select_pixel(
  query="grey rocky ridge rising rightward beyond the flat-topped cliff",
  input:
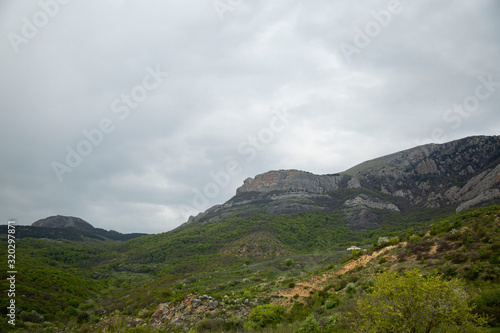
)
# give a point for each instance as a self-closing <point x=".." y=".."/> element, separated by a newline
<point x="437" y="176"/>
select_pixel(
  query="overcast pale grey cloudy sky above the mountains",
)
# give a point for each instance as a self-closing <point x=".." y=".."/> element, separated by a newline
<point x="134" y="115"/>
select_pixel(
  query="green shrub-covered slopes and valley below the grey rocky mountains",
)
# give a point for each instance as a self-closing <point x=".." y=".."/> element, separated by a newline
<point x="294" y="269"/>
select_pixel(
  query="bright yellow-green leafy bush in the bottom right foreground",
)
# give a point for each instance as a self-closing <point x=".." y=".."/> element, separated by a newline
<point x="414" y="303"/>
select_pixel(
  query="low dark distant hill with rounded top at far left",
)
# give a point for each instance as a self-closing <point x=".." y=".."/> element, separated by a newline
<point x="67" y="227"/>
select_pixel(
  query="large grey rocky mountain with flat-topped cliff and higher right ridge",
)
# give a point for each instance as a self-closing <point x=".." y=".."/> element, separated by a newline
<point x="433" y="178"/>
